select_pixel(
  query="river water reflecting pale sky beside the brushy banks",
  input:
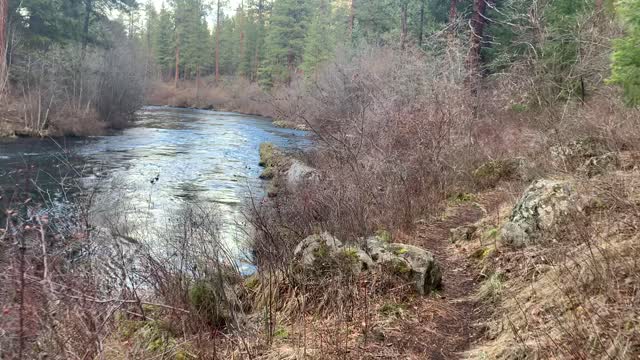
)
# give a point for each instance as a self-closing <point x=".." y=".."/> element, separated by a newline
<point x="168" y="158"/>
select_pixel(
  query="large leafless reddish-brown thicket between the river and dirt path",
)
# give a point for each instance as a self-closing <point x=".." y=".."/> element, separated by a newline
<point x="389" y="126"/>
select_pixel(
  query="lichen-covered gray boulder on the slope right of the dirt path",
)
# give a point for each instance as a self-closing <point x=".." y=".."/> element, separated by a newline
<point x="544" y="206"/>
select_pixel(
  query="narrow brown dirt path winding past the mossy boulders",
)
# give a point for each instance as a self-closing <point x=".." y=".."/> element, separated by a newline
<point x="444" y="325"/>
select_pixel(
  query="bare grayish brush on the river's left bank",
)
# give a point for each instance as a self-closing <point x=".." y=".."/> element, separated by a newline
<point x="67" y="90"/>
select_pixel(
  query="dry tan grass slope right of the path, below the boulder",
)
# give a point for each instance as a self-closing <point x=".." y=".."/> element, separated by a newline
<point x="575" y="298"/>
